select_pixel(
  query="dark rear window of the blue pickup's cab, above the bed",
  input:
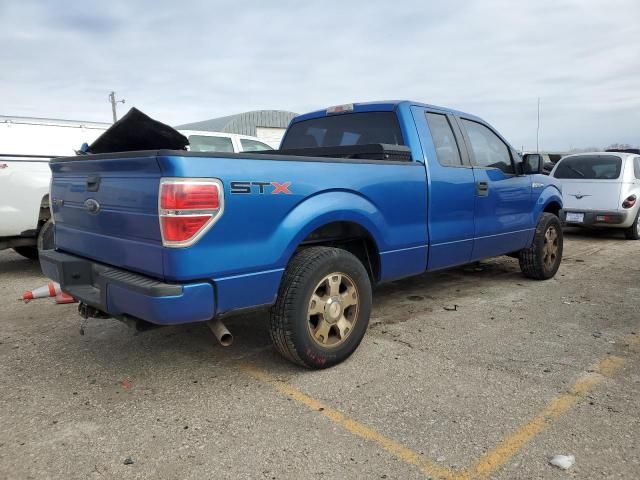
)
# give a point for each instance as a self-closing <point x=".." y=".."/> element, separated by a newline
<point x="345" y="129"/>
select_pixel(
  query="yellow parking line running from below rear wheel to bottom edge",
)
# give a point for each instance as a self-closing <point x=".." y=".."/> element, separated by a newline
<point x="396" y="449"/>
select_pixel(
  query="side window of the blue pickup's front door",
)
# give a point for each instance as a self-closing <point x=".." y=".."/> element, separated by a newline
<point x="488" y="150"/>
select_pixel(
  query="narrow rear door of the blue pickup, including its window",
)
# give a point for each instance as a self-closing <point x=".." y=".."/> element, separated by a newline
<point x="451" y="189"/>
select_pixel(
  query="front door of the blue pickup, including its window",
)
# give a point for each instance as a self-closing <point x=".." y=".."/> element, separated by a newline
<point x="503" y="201"/>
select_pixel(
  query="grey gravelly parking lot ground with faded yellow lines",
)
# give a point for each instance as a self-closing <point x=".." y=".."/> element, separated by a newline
<point x="449" y="381"/>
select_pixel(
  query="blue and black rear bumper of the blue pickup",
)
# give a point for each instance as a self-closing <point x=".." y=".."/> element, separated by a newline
<point x="121" y="293"/>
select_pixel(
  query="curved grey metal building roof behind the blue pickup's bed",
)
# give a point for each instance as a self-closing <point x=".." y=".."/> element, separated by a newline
<point x="244" y="123"/>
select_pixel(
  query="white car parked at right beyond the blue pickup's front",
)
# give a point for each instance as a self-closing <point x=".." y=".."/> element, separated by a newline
<point x="601" y="190"/>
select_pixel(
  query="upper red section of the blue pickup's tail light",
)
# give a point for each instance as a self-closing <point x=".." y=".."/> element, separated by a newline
<point x="189" y="196"/>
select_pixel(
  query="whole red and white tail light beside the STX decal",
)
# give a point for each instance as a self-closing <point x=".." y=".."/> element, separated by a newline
<point x="187" y="208"/>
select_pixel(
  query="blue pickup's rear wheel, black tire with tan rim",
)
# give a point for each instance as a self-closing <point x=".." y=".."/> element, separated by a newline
<point x="291" y="322"/>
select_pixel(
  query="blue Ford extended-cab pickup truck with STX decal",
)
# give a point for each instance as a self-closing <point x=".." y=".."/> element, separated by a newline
<point x="357" y="195"/>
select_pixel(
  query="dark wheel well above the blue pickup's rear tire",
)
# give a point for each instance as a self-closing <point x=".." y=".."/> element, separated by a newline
<point x="351" y="237"/>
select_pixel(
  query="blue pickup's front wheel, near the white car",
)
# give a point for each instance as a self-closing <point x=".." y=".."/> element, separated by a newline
<point x="537" y="261"/>
